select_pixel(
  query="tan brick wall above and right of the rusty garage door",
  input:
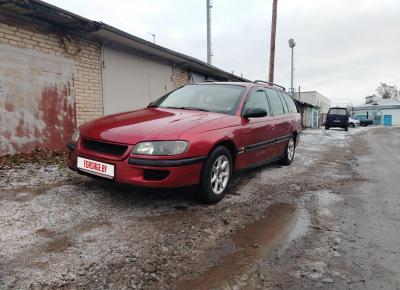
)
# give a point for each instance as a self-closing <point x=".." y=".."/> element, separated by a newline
<point x="87" y="76"/>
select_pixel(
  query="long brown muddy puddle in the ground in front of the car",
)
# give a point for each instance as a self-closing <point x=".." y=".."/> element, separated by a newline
<point x="282" y="223"/>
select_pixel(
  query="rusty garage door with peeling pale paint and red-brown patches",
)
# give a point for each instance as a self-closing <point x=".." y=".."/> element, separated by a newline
<point x="36" y="100"/>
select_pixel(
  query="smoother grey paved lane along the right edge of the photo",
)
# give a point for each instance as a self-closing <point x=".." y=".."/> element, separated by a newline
<point x="371" y="213"/>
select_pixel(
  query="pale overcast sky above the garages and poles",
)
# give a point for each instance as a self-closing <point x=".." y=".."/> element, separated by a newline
<point x="344" y="48"/>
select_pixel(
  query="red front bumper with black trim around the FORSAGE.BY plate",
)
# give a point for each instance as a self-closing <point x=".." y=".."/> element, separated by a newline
<point x="145" y="172"/>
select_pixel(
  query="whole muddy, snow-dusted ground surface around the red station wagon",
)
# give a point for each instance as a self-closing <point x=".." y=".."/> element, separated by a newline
<point x="280" y="227"/>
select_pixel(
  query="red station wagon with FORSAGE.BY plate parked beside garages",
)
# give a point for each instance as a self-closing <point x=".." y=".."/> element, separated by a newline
<point x="197" y="134"/>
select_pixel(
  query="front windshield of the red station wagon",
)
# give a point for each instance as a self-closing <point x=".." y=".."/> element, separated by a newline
<point x="213" y="98"/>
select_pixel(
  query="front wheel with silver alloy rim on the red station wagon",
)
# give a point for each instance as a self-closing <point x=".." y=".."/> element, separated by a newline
<point x="213" y="191"/>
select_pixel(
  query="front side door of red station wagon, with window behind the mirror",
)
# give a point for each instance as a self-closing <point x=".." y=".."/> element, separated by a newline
<point x="257" y="132"/>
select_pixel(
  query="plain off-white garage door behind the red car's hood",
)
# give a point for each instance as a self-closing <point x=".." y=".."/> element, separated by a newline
<point x="131" y="82"/>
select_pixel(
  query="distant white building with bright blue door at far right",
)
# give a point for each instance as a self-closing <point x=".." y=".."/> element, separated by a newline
<point x="384" y="112"/>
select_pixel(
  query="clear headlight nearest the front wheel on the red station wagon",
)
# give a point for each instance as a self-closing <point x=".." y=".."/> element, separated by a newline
<point x="160" y="147"/>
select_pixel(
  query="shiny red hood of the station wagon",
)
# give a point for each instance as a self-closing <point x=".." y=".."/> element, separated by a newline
<point x="146" y="124"/>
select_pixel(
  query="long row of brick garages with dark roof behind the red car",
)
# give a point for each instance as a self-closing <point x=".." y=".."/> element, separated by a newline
<point x="59" y="70"/>
